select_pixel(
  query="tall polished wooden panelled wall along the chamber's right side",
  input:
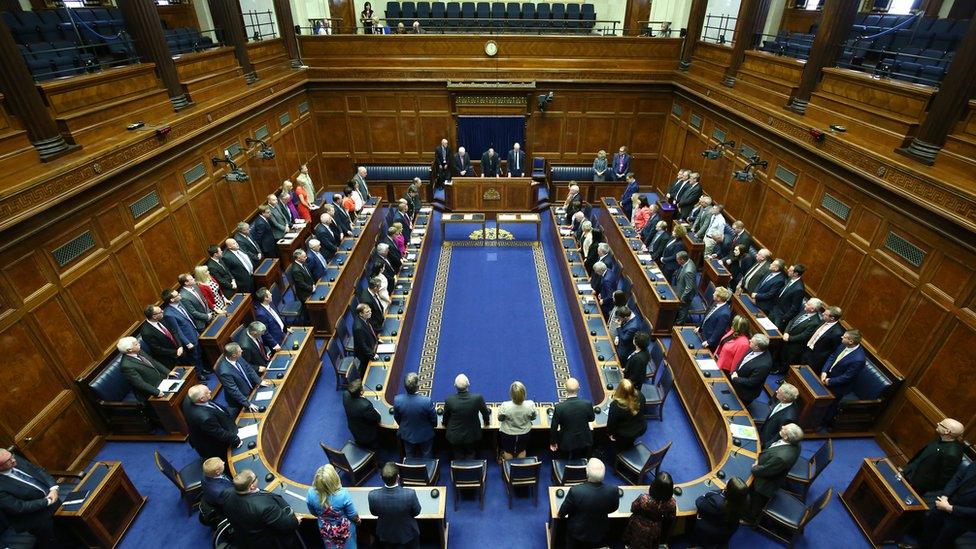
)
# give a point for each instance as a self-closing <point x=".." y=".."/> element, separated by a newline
<point x="922" y="320"/>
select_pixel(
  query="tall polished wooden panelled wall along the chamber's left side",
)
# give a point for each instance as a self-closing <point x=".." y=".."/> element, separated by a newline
<point x="58" y="323"/>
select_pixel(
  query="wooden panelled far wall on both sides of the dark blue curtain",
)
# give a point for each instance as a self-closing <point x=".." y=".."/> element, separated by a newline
<point x="400" y="124"/>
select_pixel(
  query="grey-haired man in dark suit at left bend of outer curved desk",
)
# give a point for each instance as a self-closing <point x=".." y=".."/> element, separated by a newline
<point x="212" y="430"/>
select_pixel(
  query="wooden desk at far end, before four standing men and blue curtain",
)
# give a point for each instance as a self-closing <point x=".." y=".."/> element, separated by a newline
<point x="490" y="194"/>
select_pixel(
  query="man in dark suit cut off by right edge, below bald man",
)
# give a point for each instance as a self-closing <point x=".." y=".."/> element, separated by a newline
<point x="954" y="513"/>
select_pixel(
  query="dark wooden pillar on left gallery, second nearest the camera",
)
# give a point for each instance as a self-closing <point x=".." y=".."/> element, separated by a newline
<point x="143" y="24"/>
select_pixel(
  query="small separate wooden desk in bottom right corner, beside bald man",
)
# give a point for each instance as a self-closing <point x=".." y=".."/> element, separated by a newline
<point x="881" y="502"/>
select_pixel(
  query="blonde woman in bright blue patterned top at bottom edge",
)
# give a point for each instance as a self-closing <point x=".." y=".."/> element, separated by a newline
<point x="332" y="505"/>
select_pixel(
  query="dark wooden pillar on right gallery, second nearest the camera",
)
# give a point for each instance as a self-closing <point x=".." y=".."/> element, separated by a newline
<point x="838" y="16"/>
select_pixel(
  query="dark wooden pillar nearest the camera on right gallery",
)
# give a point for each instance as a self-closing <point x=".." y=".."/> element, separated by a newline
<point x="949" y="103"/>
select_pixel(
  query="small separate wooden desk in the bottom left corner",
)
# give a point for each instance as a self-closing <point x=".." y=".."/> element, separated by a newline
<point x="109" y="509"/>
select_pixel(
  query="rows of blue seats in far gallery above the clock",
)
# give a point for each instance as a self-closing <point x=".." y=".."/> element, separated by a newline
<point x="493" y="14"/>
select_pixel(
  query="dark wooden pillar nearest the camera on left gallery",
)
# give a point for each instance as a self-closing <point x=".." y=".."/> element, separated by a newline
<point x="26" y="103"/>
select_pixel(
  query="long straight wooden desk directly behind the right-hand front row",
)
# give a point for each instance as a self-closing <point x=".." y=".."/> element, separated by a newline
<point x="658" y="302"/>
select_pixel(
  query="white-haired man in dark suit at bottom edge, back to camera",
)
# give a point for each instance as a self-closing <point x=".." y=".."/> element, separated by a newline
<point x="587" y="508"/>
